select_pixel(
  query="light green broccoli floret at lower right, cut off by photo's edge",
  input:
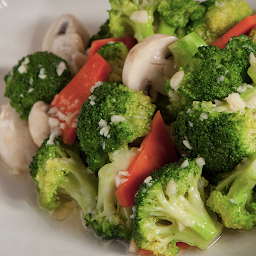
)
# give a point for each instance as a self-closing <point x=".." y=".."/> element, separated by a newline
<point x="233" y="197"/>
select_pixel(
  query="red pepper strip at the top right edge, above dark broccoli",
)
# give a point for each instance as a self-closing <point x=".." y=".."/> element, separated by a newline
<point x="243" y="27"/>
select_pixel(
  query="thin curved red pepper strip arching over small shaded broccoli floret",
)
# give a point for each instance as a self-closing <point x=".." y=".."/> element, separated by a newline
<point x="95" y="46"/>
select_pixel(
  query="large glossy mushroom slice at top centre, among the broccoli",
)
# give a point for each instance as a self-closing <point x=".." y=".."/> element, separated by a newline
<point x="149" y="63"/>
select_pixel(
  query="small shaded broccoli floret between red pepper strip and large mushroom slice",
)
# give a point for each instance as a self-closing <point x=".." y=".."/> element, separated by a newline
<point x="115" y="54"/>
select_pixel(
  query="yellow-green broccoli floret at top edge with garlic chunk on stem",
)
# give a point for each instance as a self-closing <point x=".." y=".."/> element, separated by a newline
<point x="132" y="18"/>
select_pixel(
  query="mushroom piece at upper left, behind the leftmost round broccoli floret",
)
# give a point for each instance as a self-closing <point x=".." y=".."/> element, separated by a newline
<point x="68" y="38"/>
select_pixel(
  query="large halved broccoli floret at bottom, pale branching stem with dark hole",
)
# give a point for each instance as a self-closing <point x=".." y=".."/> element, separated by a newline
<point x="169" y="209"/>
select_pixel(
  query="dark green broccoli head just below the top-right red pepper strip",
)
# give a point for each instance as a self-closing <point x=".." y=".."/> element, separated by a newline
<point x="213" y="75"/>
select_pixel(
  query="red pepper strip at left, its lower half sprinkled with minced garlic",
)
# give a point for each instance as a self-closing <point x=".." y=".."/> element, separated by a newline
<point x="71" y="98"/>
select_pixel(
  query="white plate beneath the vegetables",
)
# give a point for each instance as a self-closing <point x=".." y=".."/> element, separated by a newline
<point x="26" y="230"/>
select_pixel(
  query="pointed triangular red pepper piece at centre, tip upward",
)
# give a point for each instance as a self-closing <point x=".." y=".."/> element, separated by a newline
<point x="156" y="150"/>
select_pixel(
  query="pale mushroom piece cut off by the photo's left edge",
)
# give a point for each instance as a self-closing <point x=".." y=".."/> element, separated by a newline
<point x="16" y="145"/>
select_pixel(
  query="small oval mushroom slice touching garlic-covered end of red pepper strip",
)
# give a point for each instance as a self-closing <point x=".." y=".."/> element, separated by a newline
<point x="38" y="122"/>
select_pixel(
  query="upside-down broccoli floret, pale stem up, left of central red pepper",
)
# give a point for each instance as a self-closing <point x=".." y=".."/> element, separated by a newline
<point x="108" y="218"/>
